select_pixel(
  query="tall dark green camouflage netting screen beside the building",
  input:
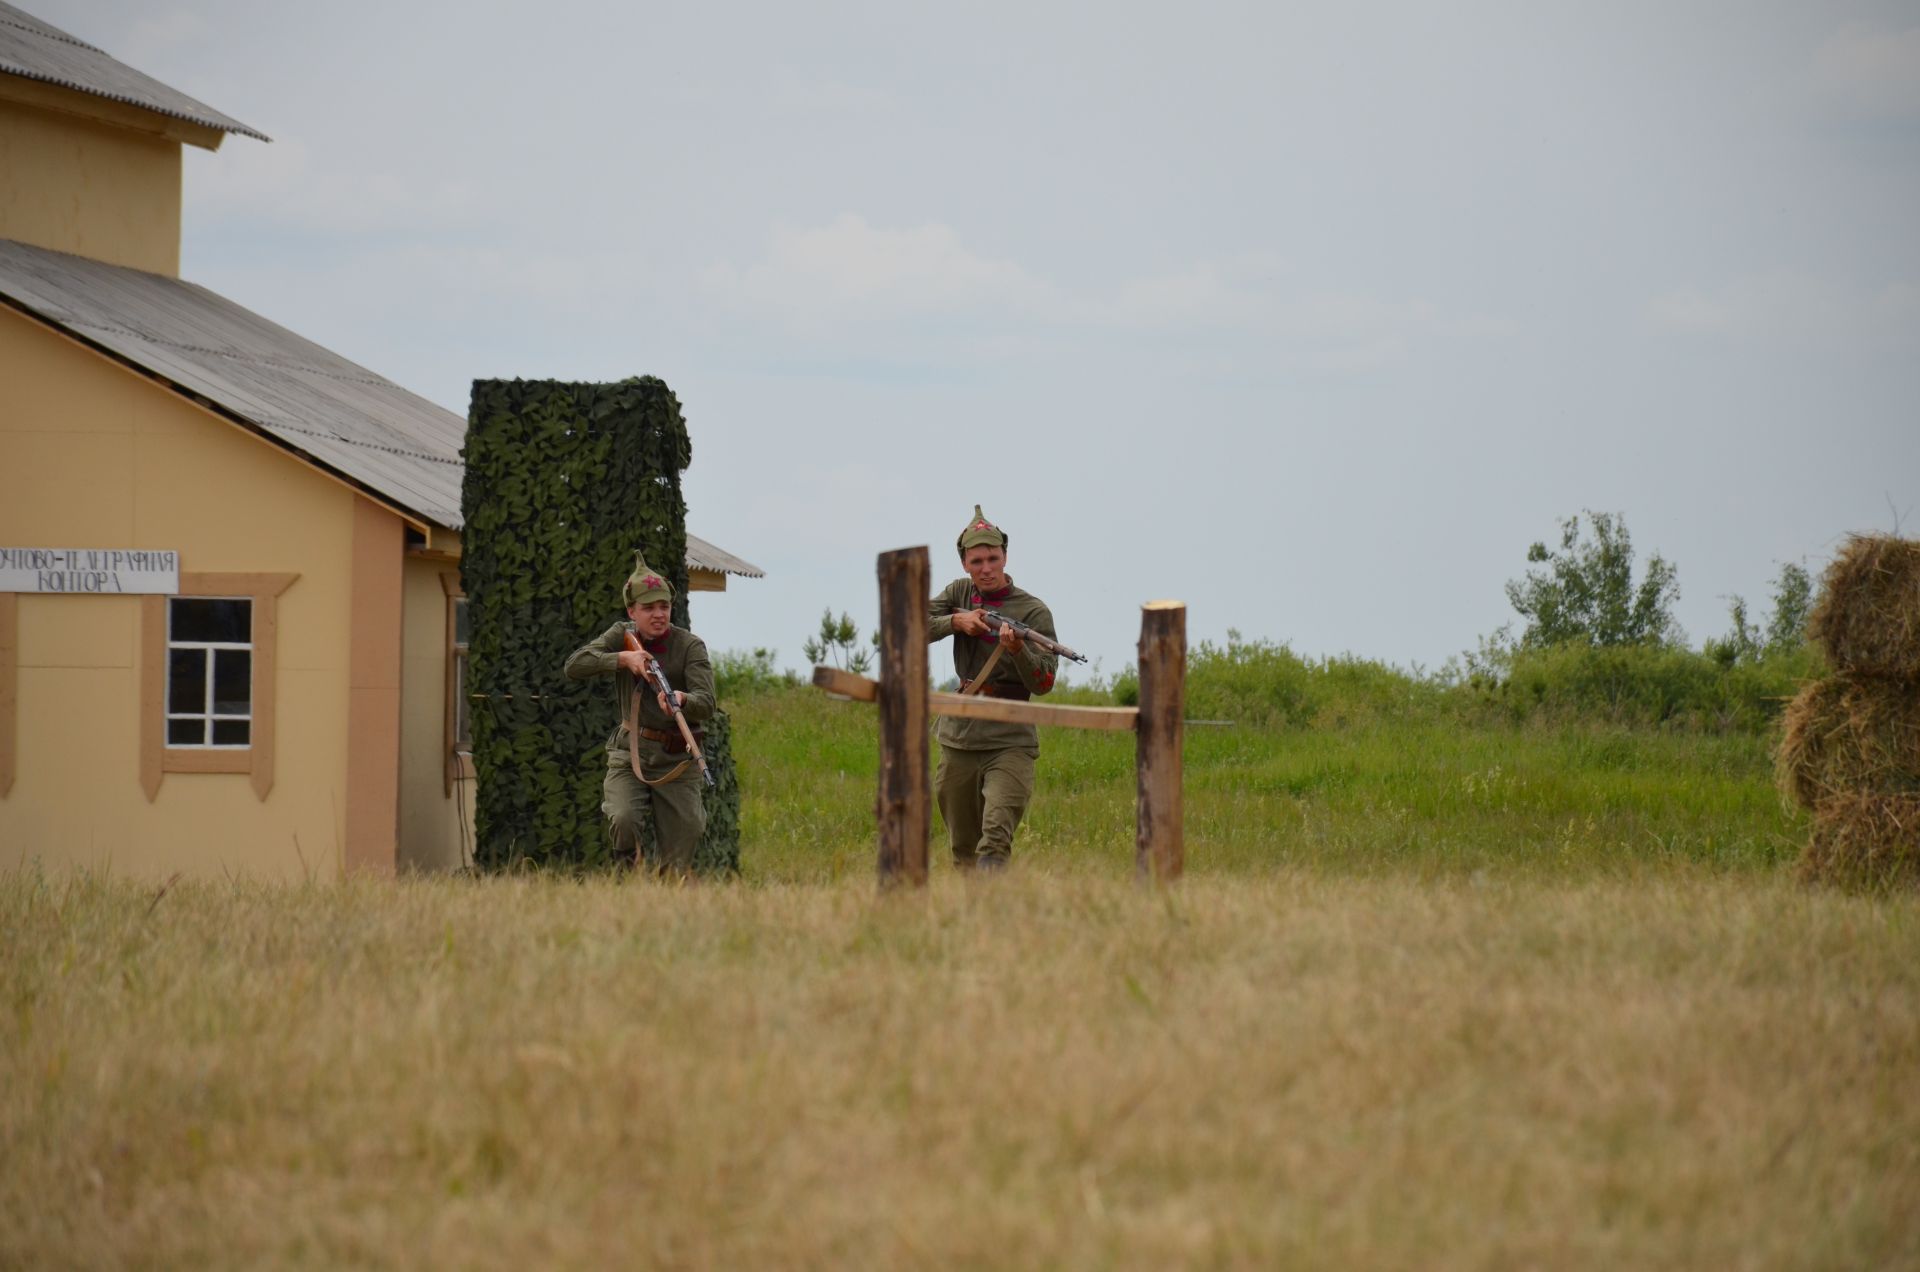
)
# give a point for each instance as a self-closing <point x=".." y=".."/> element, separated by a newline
<point x="564" y="483"/>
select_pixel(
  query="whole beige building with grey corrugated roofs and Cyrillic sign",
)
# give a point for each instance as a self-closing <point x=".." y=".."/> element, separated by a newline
<point x="231" y="631"/>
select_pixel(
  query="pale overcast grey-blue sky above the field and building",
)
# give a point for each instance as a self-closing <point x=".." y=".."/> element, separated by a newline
<point x="1312" y="316"/>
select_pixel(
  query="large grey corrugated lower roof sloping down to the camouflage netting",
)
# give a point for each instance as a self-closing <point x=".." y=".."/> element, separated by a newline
<point x="310" y="401"/>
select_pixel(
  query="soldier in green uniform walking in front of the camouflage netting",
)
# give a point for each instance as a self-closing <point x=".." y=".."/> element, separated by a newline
<point x="648" y="760"/>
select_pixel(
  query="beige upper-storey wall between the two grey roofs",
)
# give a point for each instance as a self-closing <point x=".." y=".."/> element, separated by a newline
<point x="91" y="189"/>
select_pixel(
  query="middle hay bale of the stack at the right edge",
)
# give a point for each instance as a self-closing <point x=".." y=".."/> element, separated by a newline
<point x="1850" y="735"/>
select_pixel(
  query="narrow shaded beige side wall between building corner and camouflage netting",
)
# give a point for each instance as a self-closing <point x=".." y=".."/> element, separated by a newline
<point x="437" y="798"/>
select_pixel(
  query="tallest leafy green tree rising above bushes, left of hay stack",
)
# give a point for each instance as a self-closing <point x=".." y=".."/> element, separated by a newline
<point x="1587" y="593"/>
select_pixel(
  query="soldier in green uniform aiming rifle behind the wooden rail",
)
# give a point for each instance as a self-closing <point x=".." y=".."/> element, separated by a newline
<point x="986" y="771"/>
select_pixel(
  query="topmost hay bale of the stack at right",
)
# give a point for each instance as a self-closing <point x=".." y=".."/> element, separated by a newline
<point x="1869" y="612"/>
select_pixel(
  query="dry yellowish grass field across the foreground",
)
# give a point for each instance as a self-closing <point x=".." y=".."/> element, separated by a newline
<point x="1666" y="1067"/>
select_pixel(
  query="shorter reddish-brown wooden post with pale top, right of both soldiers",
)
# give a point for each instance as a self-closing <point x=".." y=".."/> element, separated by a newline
<point x="1161" y="850"/>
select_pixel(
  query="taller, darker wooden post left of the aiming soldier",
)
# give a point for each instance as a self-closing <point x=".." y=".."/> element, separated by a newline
<point x="903" y="808"/>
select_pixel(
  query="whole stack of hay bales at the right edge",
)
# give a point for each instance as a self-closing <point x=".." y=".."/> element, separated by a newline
<point x="1852" y="746"/>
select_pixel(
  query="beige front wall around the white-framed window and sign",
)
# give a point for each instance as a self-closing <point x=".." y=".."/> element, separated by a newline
<point x="95" y="456"/>
